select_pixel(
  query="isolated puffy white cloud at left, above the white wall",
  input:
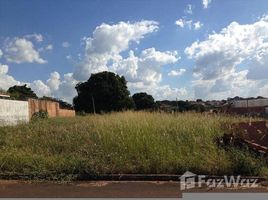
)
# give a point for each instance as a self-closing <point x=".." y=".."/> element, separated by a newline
<point x="21" y="50"/>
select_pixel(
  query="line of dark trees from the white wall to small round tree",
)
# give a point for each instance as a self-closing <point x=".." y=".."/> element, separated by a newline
<point x="102" y="92"/>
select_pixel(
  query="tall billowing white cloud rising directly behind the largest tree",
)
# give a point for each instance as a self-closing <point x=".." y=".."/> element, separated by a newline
<point x="103" y="51"/>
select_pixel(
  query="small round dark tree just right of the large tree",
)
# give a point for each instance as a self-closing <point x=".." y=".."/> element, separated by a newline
<point x="143" y="101"/>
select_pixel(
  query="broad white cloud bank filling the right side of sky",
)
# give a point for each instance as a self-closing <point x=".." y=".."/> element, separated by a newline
<point x="217" y="60"/>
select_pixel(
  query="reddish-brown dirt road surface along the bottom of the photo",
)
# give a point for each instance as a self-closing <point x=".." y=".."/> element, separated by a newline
<point x="104" y="189"/>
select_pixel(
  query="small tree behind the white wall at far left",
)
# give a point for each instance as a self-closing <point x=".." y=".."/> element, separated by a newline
<point x="21" y="92"/>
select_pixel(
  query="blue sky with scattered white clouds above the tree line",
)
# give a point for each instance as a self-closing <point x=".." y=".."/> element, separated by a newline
<point x="209" y="49"/>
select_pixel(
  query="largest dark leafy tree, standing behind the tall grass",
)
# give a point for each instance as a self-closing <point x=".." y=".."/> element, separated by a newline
<point x="103" y="92"/>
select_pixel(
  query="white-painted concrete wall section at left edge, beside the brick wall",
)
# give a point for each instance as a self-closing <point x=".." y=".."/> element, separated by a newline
<point x="13" y="112"/>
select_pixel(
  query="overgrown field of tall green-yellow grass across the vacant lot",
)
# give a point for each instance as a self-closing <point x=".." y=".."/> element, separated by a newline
<point x="128" y="142"/>
